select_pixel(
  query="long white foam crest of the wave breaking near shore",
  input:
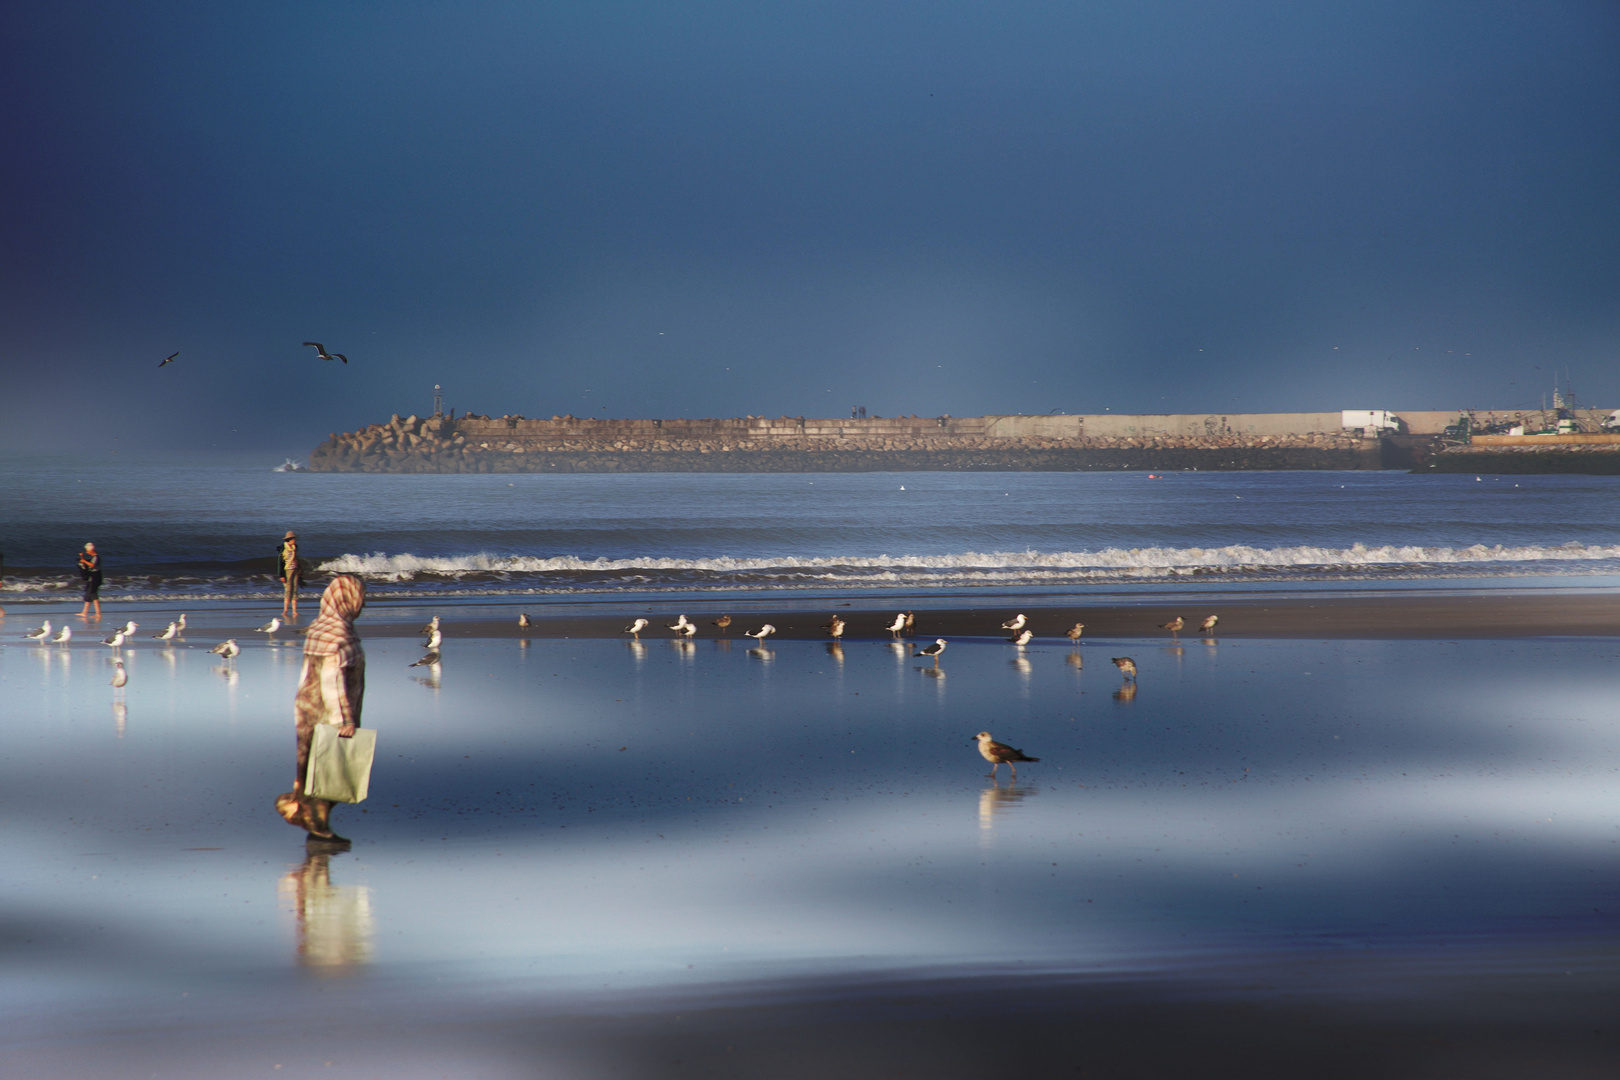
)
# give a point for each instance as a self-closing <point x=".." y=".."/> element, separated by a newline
<point x="404" y="568"/>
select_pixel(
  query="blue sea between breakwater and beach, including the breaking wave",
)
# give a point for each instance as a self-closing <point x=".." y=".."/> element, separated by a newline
<point x="203" y="530"/>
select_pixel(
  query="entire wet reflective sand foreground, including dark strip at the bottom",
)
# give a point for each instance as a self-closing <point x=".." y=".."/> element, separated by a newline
<point x="605" y="857"/>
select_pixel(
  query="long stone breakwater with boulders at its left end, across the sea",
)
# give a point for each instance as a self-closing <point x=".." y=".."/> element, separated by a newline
<point x="565" y="444"/>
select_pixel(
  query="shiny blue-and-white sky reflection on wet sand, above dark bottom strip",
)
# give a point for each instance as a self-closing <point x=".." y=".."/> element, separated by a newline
<point x="584" y="812"/>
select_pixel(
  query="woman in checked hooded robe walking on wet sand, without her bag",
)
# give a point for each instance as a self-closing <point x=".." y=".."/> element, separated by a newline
<point x="331" y="691"/>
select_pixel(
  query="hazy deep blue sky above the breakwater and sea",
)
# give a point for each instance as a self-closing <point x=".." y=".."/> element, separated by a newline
<point x="704" y="210"/>
